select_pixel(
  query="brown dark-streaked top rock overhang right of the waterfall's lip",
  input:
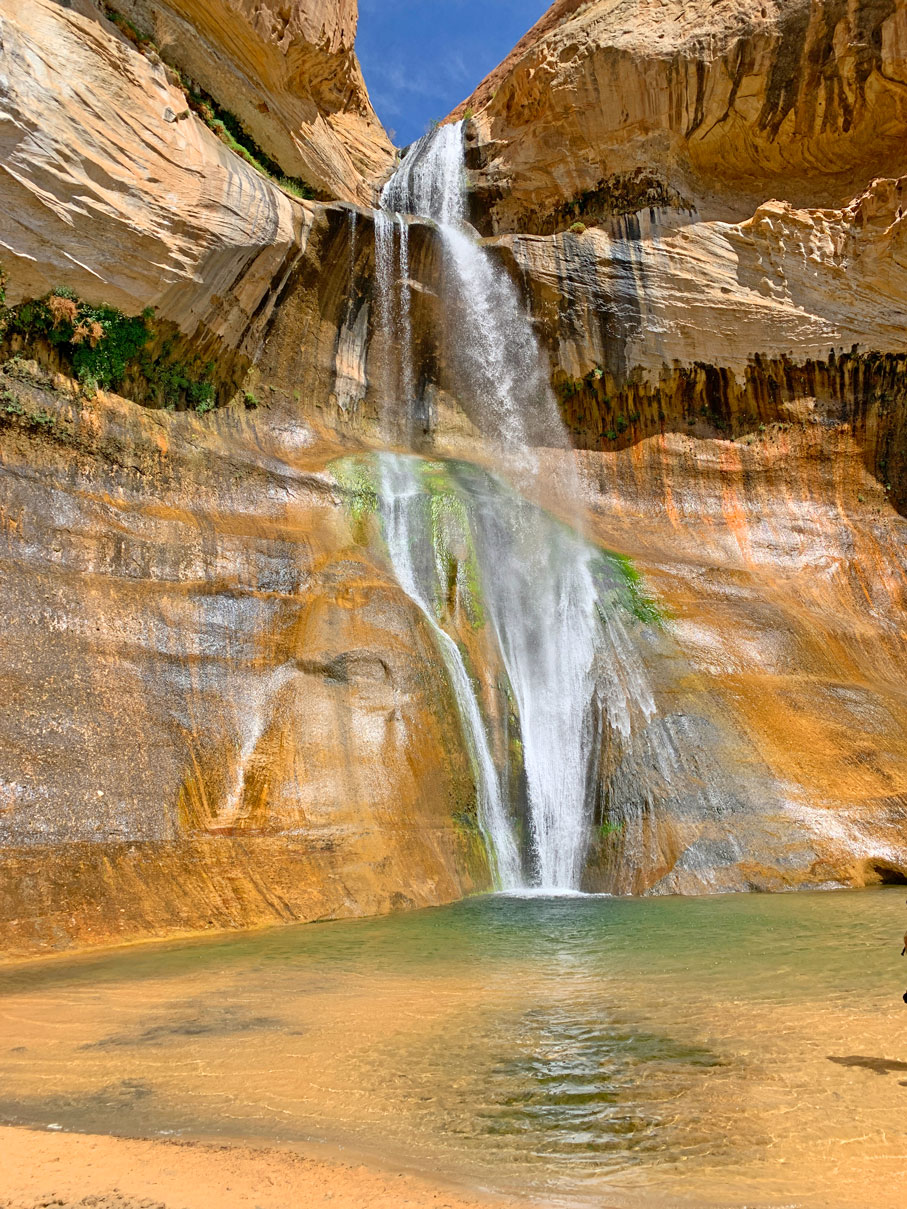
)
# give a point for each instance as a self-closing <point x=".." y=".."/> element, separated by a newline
<point x="610" y="107"/>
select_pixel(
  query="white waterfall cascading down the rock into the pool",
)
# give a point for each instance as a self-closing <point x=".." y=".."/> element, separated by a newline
<point x="561" y="640"/>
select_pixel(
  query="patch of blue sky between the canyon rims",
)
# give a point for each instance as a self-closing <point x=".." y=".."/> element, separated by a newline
<point x="423" y="57"/>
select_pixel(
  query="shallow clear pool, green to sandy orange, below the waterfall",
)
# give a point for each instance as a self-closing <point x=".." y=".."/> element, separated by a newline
<point x="735" y="1051"/>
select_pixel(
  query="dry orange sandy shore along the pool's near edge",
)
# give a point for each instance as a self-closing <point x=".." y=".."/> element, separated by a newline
<point x="68" y="1171"/>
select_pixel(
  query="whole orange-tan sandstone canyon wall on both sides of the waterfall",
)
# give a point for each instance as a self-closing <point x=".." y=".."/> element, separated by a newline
<point x="223" y="710"/>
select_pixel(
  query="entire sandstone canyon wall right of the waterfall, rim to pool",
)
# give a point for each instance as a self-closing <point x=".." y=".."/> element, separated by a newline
<point x="715" y="204"/>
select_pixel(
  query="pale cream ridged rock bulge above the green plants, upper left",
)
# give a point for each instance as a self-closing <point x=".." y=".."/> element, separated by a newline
<point x="108" y="194"/>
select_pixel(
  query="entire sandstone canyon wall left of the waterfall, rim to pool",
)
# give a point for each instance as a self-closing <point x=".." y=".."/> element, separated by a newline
<point x="222" y="710"/>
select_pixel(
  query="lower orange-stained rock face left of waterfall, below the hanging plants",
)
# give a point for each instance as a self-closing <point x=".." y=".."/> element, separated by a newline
<point x="221" y="709"/>
